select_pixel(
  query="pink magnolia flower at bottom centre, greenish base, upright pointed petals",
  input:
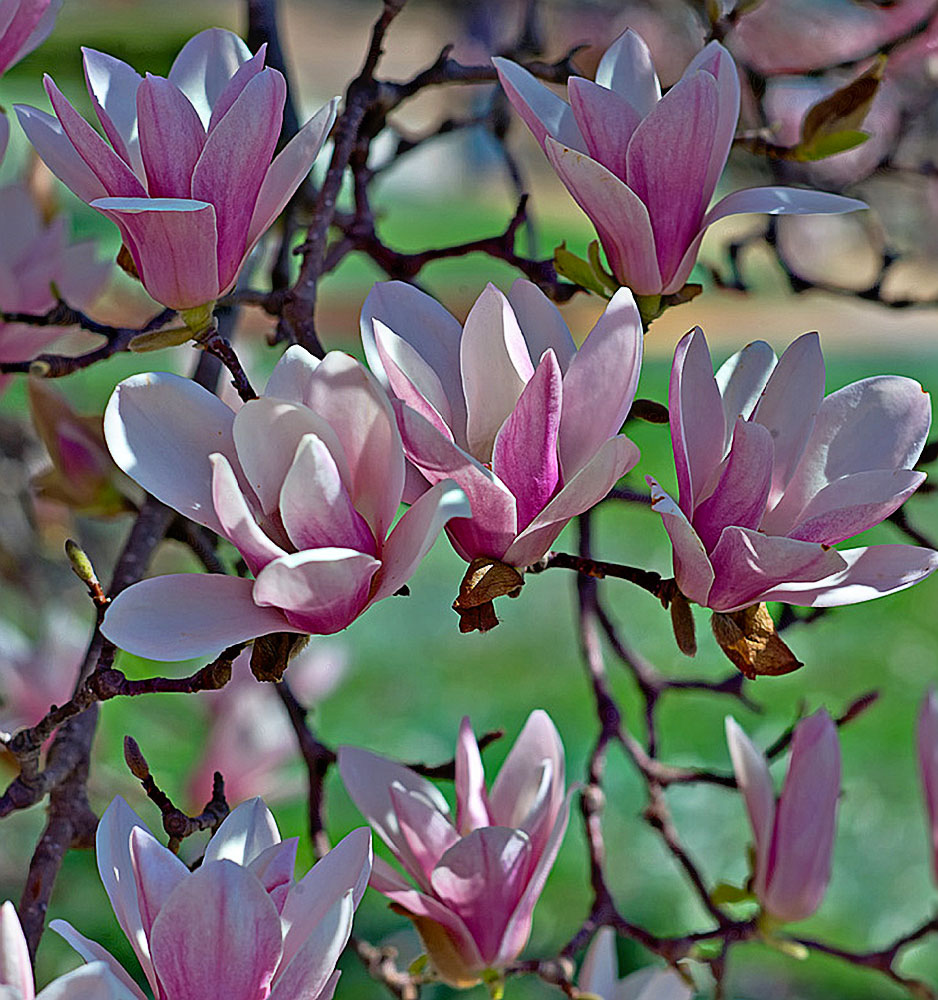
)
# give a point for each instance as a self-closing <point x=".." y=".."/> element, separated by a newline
<point x="478" y="877"/>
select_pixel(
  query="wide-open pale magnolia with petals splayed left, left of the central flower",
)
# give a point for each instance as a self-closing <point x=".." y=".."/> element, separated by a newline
<point x="305" y="481"/>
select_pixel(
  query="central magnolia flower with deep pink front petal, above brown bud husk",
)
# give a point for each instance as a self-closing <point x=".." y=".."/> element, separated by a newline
<point x="508" y="407"/>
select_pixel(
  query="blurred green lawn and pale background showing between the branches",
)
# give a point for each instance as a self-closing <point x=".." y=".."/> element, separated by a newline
<point x="401" y="678"/>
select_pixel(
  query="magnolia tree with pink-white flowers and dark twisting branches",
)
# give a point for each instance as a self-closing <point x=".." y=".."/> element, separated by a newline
<point x="499" y="431"/>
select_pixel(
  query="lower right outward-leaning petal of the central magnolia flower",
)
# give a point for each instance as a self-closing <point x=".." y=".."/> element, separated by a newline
<point x="613" y="460"/>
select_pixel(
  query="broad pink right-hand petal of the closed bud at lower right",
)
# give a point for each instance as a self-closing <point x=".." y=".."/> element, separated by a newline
<point x="799" y="861"/>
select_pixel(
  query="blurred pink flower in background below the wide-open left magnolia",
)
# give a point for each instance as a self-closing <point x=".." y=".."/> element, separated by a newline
<point x="249" y="738"/>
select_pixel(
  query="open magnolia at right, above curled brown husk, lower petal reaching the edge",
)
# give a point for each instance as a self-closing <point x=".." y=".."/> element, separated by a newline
<point x="771" y="474"/>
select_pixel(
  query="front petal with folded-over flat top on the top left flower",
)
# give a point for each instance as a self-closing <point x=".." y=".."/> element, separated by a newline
<point x="172" y="241"/>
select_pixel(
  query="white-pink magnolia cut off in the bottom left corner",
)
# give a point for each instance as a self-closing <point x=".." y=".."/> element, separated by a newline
<point x="90" y="982"/>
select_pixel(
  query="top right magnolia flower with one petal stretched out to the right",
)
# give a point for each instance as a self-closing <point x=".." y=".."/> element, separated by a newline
<point x="644" y="167"/>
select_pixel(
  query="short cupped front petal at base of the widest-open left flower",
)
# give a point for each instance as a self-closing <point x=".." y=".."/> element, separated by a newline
<point x="320" y="591"/>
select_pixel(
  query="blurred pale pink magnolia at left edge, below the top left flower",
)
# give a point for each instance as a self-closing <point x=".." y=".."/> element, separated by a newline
<point x="40" y="255"/>
